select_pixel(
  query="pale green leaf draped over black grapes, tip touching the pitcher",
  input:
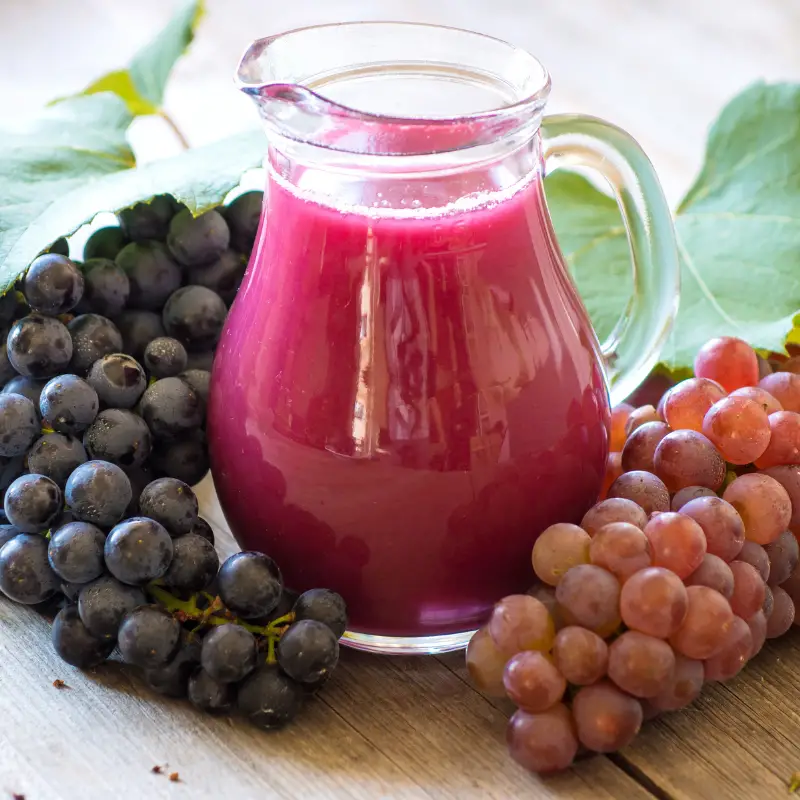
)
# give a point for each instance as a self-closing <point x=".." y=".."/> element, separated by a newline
<point x="200" y="178"/>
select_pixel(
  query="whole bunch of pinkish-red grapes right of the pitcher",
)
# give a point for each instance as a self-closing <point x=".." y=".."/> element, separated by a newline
<point x="674" y="579"/>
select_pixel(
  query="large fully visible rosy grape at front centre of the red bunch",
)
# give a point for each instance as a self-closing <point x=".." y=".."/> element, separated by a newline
<point x="654" y="601"/>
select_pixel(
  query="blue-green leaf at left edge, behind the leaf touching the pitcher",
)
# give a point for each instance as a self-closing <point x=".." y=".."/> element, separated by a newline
<point x="69" y="146"/>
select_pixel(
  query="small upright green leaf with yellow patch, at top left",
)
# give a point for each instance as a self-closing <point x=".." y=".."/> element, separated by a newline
<point x="141" y="86"/>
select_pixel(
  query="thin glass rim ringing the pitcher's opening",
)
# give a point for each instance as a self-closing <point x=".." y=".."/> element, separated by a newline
<point x="532" y="102"/>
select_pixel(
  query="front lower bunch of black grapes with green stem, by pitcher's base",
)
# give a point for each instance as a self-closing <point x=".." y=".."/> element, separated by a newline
<point x="151" y="585"/>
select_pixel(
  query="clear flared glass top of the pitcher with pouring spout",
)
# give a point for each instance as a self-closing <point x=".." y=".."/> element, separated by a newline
<point x="351" y="87"/>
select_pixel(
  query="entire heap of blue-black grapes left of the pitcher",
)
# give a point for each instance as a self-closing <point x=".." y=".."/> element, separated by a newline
<point x="105" y="373"/>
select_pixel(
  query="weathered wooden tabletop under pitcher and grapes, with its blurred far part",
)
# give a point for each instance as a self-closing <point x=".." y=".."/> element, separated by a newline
<point x="401" y="727"/>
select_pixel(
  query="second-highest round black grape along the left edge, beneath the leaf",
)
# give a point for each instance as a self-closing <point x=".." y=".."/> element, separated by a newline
<point x="39" y="346"/>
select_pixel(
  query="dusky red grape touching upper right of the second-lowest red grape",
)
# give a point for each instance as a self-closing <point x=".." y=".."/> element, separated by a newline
<point x="641" y="665"/>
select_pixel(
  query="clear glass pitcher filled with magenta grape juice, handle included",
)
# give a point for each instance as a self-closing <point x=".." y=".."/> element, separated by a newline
<point x="408" y="389"/>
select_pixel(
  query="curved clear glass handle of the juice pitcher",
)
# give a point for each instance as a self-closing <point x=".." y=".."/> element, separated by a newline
<point x="633" y="348"/>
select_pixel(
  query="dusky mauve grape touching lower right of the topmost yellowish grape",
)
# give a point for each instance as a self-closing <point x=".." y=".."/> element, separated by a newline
<point x="589" y="596"/>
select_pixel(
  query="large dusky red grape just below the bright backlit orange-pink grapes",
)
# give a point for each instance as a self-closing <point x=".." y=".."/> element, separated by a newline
<point x="687" y="458"/>
